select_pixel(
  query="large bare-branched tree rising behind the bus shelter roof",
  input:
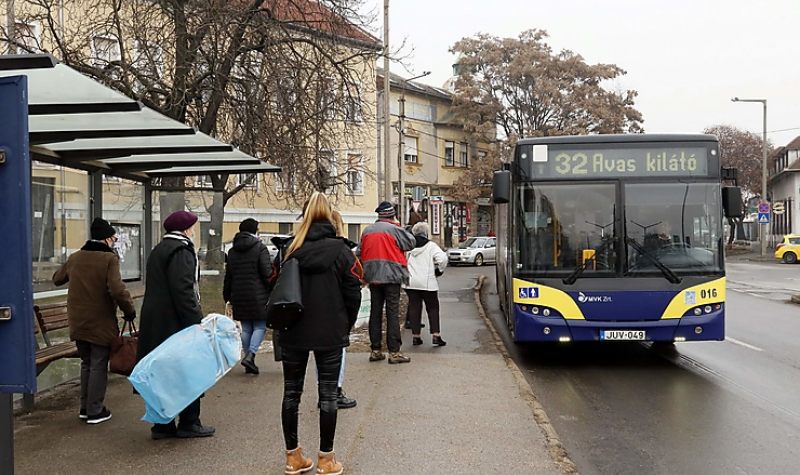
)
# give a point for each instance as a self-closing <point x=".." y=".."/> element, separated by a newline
<point x="284" y="80"/>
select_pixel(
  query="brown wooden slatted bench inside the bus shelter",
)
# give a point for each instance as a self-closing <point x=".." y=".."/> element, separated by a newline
<point x="52" y="317"/>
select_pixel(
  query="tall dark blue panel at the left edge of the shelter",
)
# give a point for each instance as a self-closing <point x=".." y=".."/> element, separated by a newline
<point x="18" y="368"/>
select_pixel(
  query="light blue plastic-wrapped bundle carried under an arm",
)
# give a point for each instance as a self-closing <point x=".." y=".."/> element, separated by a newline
<point x="186" y="365"/>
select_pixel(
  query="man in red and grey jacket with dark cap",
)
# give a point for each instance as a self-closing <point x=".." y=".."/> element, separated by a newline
<point x="382" y="250"/>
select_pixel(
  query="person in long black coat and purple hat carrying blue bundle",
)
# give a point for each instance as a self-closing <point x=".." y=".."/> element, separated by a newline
<point x="172" y="303"/>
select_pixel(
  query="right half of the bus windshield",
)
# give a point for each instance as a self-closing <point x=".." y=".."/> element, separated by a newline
<point x="678" y="224"/>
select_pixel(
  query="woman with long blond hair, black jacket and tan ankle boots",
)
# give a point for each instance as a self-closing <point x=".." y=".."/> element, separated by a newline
<point x="331" y="291"/>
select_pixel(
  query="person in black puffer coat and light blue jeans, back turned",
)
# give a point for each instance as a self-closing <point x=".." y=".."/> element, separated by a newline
<point x="246" y="287"/>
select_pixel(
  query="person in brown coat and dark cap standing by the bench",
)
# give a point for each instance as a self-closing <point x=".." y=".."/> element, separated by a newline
<point x="95" y="290"/>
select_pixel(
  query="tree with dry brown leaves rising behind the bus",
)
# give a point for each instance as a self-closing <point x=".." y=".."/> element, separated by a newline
<point x="520" y="87"/>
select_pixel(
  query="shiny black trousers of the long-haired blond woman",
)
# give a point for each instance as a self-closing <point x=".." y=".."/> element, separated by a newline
<point x="329" y="362"/>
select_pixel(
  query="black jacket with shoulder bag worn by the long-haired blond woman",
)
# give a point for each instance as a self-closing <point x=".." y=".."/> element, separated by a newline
<point x="331" y="285"/>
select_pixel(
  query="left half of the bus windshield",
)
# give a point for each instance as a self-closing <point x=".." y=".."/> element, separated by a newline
<point x="560" y="226"/>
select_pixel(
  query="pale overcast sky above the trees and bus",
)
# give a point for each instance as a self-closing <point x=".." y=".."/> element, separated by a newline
<point x="685" y="58"/>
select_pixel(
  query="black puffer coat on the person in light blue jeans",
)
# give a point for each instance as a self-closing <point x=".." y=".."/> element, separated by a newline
<point x="246" y="277"/>
